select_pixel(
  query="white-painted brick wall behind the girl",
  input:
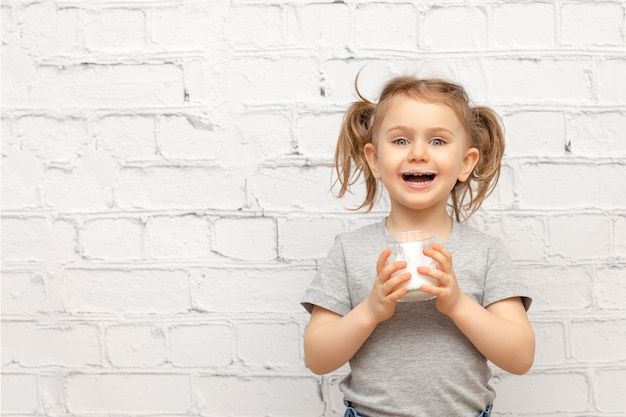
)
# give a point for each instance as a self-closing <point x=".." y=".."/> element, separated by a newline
<point x="165" y="193"/>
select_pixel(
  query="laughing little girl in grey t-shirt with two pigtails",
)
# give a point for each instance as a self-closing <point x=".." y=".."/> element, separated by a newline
<point x="438" y="158"/>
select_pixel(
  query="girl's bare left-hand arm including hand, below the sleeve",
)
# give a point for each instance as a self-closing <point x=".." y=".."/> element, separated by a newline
<point x="330" y="339"/>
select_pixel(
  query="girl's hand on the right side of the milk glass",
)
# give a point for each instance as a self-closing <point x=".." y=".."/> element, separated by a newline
<point x="448" y="293"/>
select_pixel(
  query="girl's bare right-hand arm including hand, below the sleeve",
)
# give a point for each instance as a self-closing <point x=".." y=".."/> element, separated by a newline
<point x="501" y="331"/>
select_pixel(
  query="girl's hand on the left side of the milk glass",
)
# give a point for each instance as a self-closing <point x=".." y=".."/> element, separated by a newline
<point x="387" y="290"/>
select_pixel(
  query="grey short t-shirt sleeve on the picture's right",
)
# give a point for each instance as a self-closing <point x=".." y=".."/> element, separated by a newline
<point x="503" y="279"/>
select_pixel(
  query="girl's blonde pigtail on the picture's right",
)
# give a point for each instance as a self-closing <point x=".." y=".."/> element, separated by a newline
<point x="487" y="135"/>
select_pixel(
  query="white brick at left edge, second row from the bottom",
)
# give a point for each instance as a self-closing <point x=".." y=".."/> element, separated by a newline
<point x="50" y="344"/>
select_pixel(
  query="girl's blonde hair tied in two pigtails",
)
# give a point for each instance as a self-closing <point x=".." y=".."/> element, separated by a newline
<point x="363" y="118"/>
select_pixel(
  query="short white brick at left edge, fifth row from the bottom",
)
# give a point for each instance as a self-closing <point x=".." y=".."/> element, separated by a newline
<point x="22" y="176"/>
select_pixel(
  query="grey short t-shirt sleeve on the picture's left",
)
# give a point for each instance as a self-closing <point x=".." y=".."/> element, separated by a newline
<point x="329" y="288"/>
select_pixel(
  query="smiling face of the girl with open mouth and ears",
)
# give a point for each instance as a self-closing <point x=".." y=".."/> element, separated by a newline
<point x="419" y="152"/>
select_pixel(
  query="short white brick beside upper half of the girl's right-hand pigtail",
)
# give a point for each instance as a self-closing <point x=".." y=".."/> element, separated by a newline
<point x="535" y="134"/>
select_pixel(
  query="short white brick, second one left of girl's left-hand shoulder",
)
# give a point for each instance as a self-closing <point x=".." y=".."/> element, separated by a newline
<point x="252" y="239"/>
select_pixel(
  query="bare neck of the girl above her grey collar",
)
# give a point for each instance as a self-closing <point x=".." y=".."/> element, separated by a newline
<point x="403" y="220"/>
